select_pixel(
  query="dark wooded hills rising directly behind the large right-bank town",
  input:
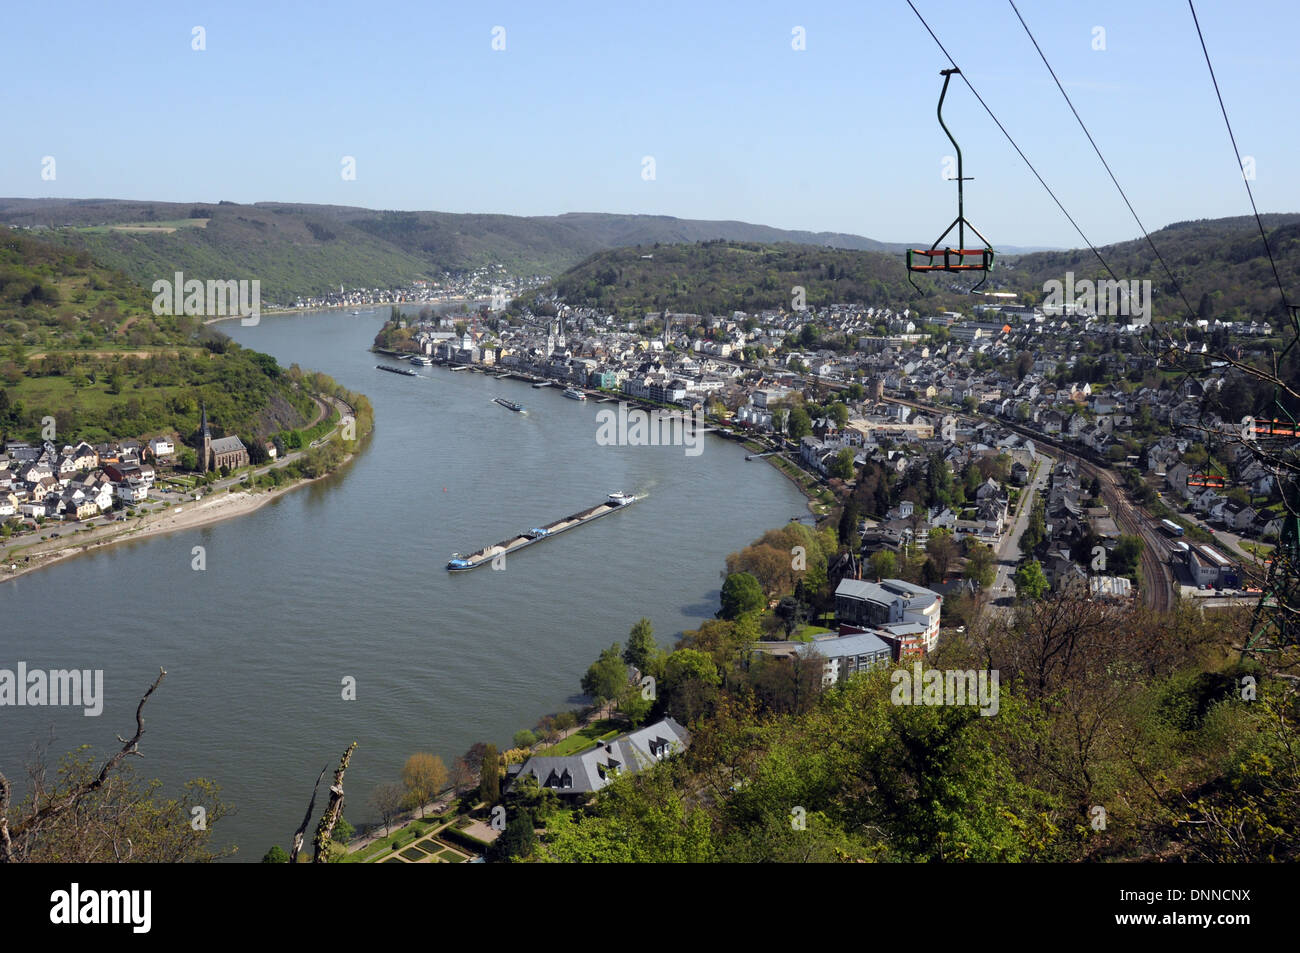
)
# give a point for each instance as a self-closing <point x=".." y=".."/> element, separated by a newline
<point x="1219" y="263"/>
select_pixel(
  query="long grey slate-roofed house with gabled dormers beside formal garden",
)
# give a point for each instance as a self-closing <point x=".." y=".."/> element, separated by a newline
<point x="592" y="770"/>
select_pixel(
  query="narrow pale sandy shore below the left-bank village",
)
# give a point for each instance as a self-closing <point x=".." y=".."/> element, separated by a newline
<point x="214" y="509"/>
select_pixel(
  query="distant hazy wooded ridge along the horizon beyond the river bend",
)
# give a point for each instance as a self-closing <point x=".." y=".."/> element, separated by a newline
<point x="307" y="250"/>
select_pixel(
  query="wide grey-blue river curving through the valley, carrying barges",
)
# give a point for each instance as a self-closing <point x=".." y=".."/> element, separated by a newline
<point x="346" y="579"/>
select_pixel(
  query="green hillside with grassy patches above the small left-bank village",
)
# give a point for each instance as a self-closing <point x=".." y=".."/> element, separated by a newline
<point x="80" y="343"/>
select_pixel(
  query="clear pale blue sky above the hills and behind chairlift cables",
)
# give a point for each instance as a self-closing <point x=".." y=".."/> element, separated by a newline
<point x="840" y="136"/>
